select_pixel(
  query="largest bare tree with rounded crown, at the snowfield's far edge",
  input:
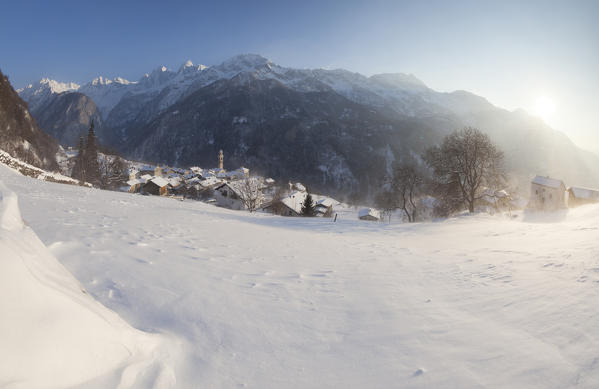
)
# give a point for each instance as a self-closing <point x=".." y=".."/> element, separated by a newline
<point x="463" y="165"/>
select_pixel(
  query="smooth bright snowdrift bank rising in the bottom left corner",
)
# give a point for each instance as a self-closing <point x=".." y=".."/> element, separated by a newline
<point x="53" y="334"/>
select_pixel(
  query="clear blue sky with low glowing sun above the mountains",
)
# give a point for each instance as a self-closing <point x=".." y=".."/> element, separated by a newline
<point x="542" y="56"/>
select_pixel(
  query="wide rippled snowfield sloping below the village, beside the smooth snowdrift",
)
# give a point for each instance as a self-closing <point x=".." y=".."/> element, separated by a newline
<point x="269" y="302"/>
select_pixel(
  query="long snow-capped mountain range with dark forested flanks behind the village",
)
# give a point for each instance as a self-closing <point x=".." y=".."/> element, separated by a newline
<point x="333" y="129"/>
